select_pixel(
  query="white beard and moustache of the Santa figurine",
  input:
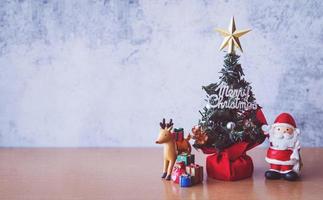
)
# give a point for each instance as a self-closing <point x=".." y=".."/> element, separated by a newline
<point x="282" y="141"/>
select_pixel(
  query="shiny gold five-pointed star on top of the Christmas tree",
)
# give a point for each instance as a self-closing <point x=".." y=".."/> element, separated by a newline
<point x="231" y="37"/>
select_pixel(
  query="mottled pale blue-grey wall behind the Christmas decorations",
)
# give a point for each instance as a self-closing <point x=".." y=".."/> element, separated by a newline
<point x="103" y="73"/>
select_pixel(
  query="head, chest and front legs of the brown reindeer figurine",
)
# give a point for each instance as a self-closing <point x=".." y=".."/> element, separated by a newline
<point x="166" y="137"/>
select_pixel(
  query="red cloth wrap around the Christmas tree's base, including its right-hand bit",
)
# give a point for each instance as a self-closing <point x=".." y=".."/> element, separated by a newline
<point x="232" y="163"/>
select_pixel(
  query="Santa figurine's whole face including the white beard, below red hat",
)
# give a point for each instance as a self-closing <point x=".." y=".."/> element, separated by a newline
<point x="282" y="137"/>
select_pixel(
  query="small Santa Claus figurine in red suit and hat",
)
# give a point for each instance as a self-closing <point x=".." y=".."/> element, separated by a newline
<point x="283" y="154"/>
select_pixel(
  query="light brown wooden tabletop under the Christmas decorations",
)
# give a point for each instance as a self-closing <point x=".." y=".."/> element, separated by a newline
<point x="134" y="173"/>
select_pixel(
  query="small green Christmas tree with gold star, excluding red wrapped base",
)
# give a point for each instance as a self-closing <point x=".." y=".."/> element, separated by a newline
<point x="230" y="115"/>
